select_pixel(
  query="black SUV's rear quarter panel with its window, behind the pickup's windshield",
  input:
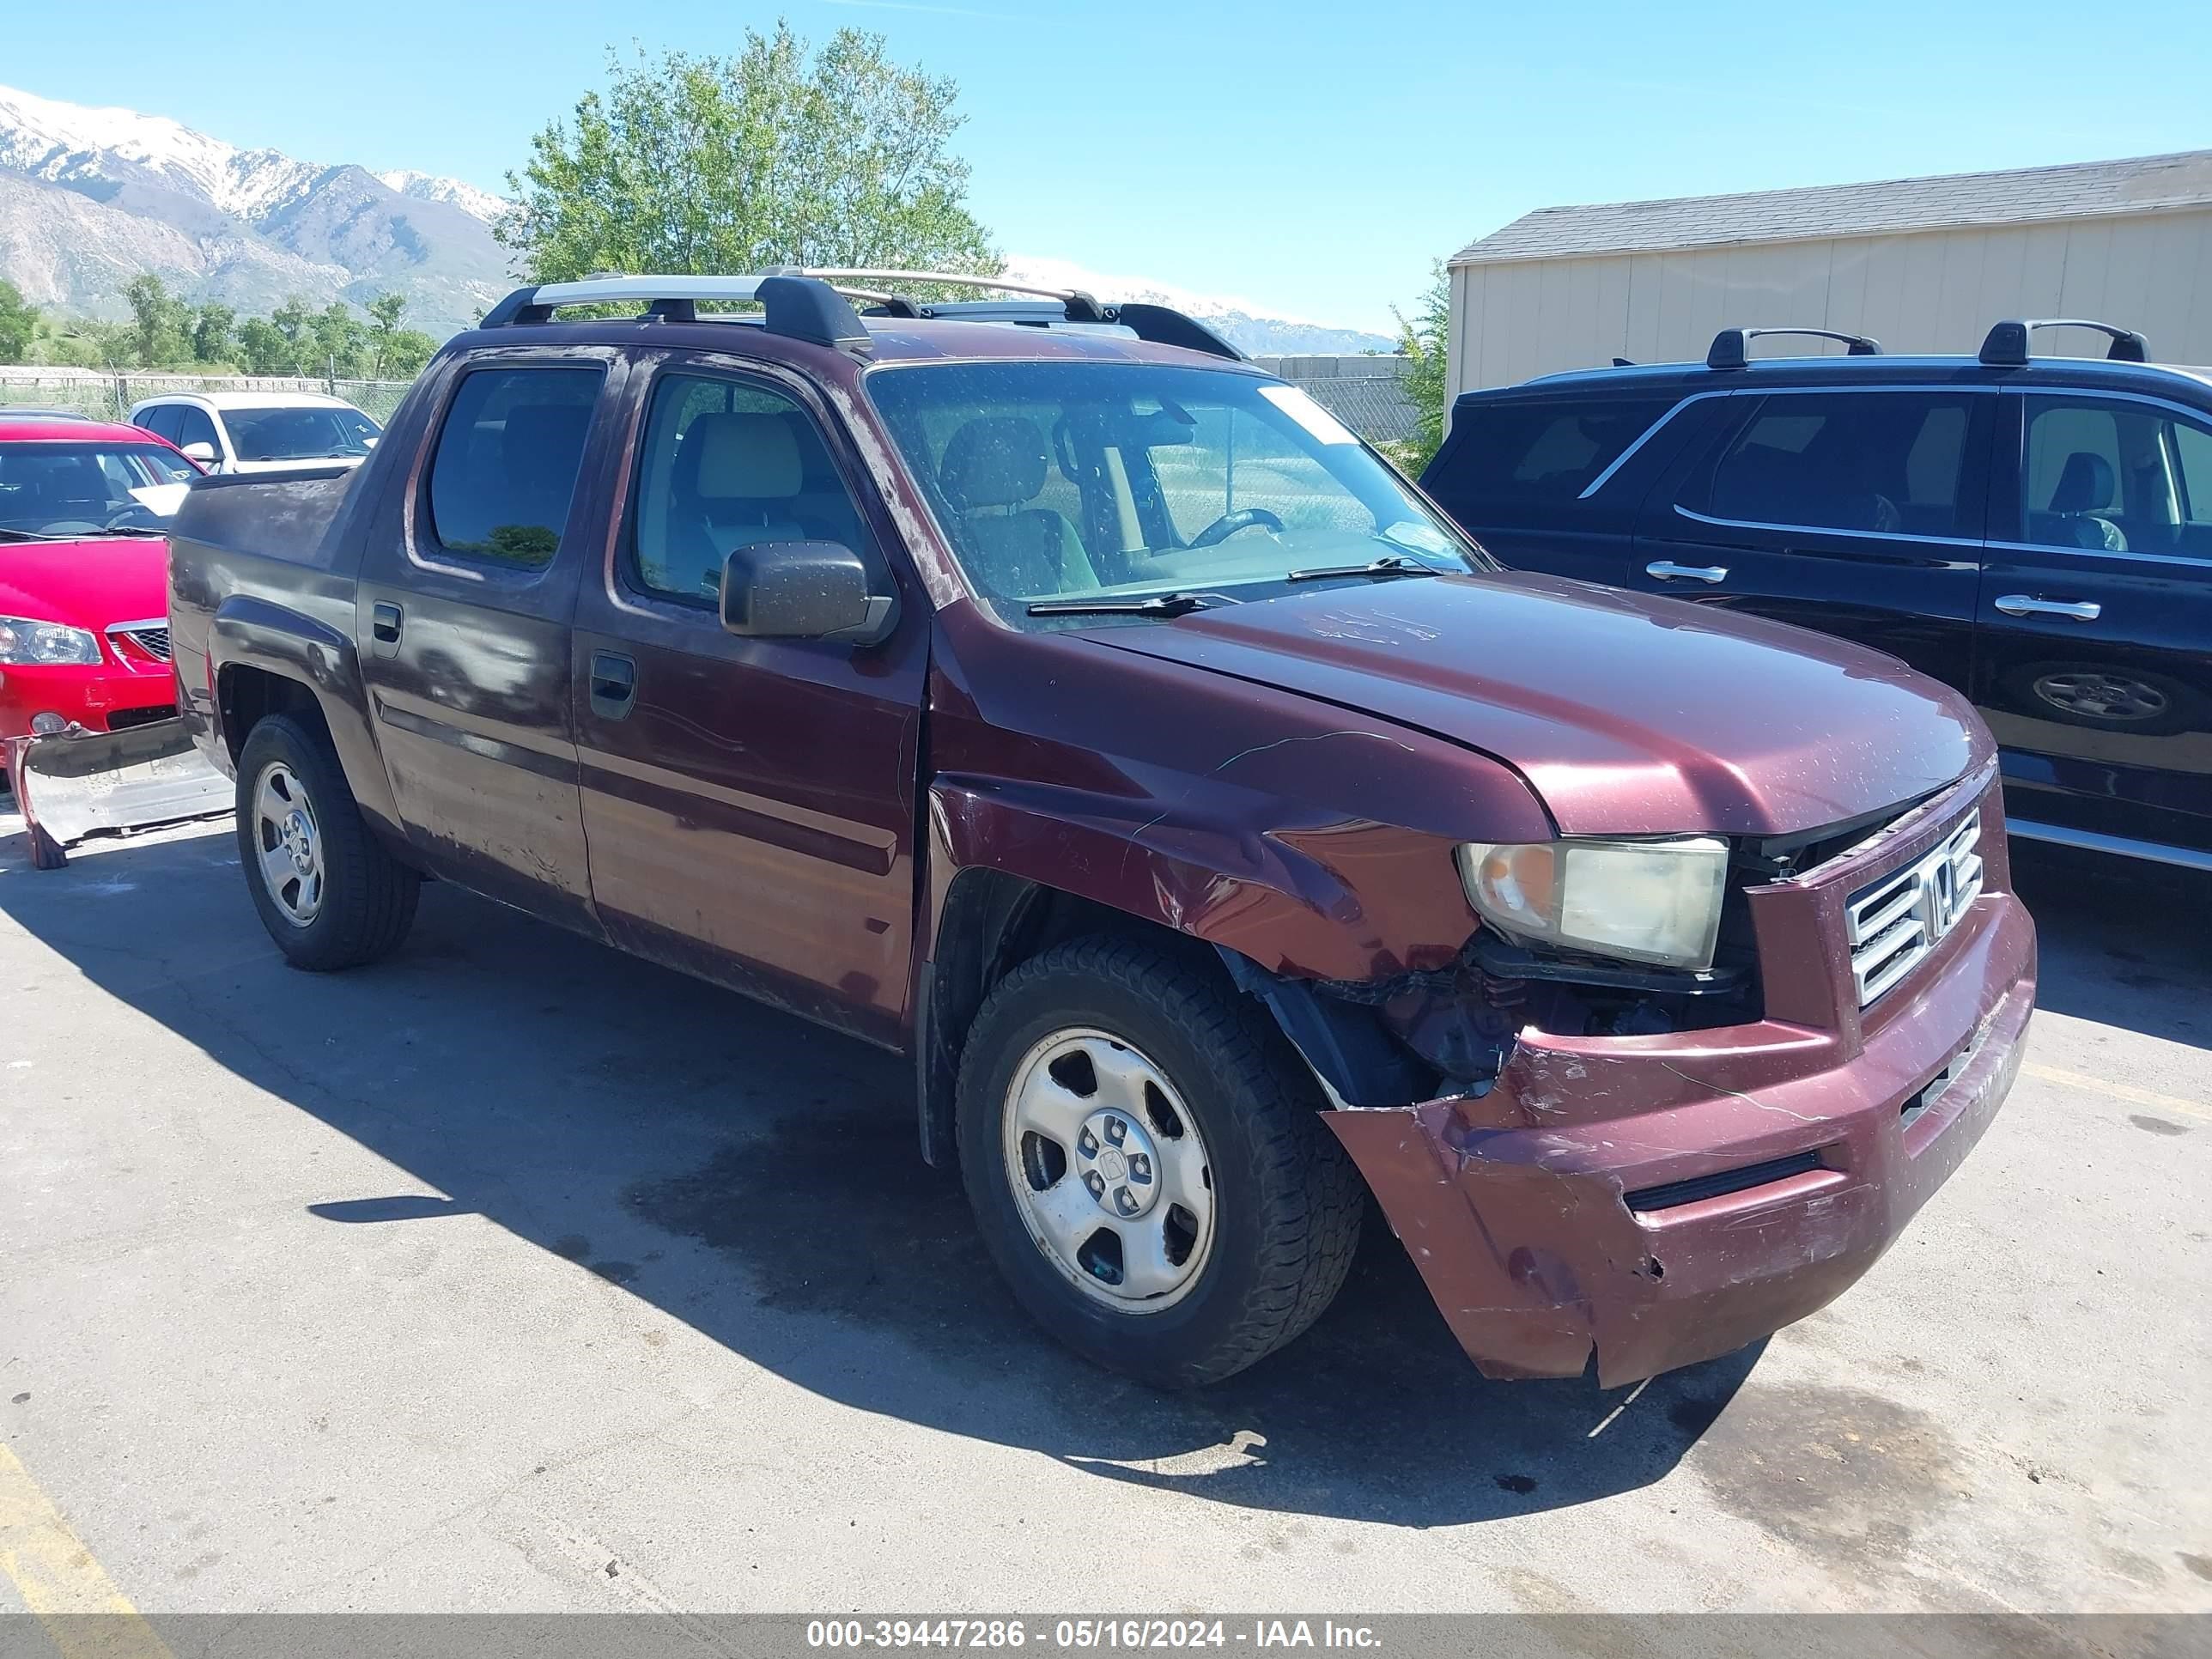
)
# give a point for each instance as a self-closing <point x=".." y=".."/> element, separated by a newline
<point x="1547" y="483"/>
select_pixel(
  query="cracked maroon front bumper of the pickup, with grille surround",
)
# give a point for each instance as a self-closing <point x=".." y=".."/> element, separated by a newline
<point x="1673" y="1198"/>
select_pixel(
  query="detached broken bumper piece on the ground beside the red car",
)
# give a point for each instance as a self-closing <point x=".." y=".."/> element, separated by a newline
<point x="79" y="784"/>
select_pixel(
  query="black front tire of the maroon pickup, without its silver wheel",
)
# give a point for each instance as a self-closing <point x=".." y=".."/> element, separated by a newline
<point x="1288" y="1200"/>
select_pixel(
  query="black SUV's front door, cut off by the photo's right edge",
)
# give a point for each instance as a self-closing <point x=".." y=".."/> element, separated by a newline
<point x="2096" y="632"/>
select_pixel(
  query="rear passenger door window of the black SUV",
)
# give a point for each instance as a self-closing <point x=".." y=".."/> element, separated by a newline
<point x="1848" y="461"/>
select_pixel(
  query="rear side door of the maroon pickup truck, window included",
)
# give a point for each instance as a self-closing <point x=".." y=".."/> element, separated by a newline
<point x="463" y="632"/>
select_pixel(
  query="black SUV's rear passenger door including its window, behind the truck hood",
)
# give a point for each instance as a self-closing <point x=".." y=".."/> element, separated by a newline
<point x="1839" y="510"/>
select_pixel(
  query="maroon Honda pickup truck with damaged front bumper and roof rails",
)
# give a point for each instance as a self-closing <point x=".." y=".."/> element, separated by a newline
<point x="1045" y="693"/>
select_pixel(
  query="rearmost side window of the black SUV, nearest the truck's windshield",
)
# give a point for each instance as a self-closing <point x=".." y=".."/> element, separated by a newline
<point x="1507" y="457"/>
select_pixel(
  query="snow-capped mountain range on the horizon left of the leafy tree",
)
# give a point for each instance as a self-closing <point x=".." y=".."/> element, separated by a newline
<point x="90" y="198"/>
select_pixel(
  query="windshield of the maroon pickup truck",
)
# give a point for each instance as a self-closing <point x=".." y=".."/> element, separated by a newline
<point x="1118" y="481"/>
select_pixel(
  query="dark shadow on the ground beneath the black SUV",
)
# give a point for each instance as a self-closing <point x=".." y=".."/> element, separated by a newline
<point x="2122" y="943"/>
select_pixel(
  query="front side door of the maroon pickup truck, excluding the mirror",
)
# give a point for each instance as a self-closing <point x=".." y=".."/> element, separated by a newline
<point x="751" y="804"/>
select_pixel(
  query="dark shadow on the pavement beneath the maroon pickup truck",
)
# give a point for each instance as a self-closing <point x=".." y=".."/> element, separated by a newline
<point x="758" y="1180"/>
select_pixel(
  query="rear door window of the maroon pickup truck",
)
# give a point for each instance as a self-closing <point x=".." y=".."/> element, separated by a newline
<point x="508" y="461"/>
